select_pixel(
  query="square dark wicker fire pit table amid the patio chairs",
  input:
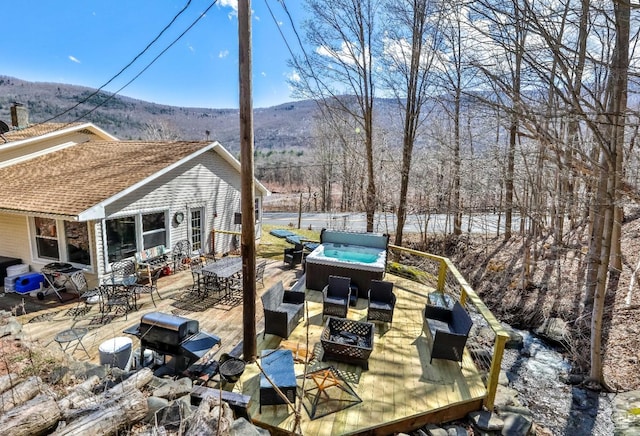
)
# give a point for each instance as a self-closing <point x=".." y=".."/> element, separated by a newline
<point x="347" y="341"/>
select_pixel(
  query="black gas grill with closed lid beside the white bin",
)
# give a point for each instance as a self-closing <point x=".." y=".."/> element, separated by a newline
<point x="175" y="336"/>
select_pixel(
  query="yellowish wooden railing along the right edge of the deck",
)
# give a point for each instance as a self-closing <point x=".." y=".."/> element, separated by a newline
<point x="430" y="269"/>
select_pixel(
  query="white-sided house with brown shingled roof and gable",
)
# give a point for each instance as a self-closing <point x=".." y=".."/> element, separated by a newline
<point x="75" y="194"/>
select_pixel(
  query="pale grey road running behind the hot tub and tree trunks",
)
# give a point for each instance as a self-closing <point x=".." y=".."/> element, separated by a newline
<point x="385" y="222"/>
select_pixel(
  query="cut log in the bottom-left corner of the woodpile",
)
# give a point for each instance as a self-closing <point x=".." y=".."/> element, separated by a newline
<point x="36" y="416"/>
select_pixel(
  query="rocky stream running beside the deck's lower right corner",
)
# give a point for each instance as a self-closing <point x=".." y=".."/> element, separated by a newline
<point x="535" y="372"/>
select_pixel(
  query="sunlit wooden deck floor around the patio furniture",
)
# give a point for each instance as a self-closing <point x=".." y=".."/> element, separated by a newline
<point x="400" y="391"/>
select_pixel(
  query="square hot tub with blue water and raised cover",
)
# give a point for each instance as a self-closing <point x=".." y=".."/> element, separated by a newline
<point x="359" y="256"/>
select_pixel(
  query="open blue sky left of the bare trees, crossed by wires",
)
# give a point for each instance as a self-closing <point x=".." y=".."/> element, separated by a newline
<point x="87" y="42"/>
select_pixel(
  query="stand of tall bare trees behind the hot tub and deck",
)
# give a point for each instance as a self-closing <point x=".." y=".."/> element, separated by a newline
<point x="521" y="107"/>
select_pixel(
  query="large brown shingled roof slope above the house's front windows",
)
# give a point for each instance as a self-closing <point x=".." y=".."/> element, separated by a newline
<point x="72" y="180"/>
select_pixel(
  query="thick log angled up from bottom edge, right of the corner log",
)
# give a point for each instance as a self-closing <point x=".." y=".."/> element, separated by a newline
<point x="109" y="417"/>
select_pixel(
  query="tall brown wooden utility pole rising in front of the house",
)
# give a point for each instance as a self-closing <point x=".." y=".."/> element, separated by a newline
<point x="248" y="244"/>
